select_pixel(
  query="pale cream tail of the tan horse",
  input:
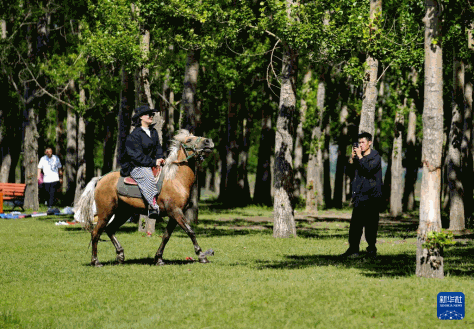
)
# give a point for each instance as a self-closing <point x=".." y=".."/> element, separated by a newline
<point x="85" y="208"/>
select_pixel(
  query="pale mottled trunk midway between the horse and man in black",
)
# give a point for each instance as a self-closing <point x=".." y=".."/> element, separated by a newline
<point x="283" y="214"/>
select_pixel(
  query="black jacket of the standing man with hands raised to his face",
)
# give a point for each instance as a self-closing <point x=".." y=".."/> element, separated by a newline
<point x="367" y="182"/>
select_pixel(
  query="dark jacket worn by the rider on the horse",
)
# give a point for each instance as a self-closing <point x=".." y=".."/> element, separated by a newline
<point x="141" y="150"/>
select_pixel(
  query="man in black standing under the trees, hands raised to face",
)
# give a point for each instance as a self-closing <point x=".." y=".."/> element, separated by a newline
<point x="366" y="196"/>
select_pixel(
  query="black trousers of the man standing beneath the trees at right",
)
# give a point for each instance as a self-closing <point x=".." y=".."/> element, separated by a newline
<point x="365" y="214"/>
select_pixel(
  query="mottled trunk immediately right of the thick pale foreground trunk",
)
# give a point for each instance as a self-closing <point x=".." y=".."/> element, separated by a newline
<point x="456" y="190"/>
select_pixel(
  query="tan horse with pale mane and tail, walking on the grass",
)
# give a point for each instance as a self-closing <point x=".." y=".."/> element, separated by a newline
<point x="178" y="180"/>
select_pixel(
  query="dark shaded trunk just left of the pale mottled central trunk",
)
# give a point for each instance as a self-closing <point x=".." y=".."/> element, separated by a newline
<point x="263" y="181"/>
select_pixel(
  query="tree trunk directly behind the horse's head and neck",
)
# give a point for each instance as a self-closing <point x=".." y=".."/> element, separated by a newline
<point x="190" y="122"/>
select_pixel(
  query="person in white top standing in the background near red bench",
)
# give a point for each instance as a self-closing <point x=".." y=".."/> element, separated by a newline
<point x="52" y="174"/>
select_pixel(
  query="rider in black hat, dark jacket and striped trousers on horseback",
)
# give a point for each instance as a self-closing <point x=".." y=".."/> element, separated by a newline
<point x="142" y="152"/>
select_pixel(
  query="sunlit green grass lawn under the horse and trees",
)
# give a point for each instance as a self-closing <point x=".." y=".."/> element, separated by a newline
<point x="253" y="281"/>
